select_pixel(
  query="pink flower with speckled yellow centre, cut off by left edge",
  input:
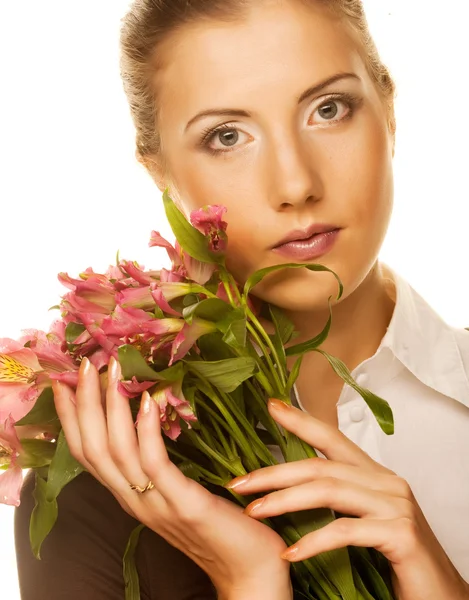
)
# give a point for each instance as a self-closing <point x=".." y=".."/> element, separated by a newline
<point x="22" y="379"/>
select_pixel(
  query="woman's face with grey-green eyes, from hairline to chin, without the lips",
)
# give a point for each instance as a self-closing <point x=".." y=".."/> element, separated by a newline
<point x="280" y="159"/>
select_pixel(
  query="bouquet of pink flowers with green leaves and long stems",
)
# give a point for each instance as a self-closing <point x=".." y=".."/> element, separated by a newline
<point x="191" y="337"/>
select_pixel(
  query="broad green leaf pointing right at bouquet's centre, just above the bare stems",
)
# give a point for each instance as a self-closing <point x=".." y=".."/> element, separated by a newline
<point x="226" y="375"/>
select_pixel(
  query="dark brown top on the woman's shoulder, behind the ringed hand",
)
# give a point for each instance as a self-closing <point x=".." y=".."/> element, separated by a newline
<point x="82" y="556"/>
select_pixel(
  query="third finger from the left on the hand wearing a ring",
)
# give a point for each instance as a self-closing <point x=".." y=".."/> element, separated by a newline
<point x="122" y="436"/>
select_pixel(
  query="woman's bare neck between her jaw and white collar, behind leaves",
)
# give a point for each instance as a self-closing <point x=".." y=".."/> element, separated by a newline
<point x="359" y="323"/>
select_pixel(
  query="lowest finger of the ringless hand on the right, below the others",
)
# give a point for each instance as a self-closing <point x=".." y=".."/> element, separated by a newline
<point x="392" y="537"/>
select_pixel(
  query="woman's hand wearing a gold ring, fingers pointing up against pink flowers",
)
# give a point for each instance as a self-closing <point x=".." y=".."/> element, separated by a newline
<point x="239" y="554"/>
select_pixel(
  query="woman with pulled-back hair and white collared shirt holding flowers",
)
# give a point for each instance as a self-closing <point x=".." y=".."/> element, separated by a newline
<point x="282" y="112"/>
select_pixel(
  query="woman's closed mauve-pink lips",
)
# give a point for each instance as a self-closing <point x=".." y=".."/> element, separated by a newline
<point x="303" y="248"/>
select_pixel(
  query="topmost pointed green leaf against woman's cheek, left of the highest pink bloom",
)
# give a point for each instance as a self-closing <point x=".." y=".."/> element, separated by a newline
<point x="190" y="239"/>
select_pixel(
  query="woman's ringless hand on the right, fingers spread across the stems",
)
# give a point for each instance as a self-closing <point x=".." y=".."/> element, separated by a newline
<point x="351" y="483"/>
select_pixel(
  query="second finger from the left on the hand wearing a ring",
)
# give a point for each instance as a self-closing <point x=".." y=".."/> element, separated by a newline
<point x="93" y="431"/>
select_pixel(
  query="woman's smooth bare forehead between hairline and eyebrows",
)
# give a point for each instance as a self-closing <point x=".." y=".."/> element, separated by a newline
<point x="278" y="46"/>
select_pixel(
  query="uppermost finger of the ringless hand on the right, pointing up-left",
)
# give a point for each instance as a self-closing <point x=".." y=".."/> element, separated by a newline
<point x="326" y="438"/>
